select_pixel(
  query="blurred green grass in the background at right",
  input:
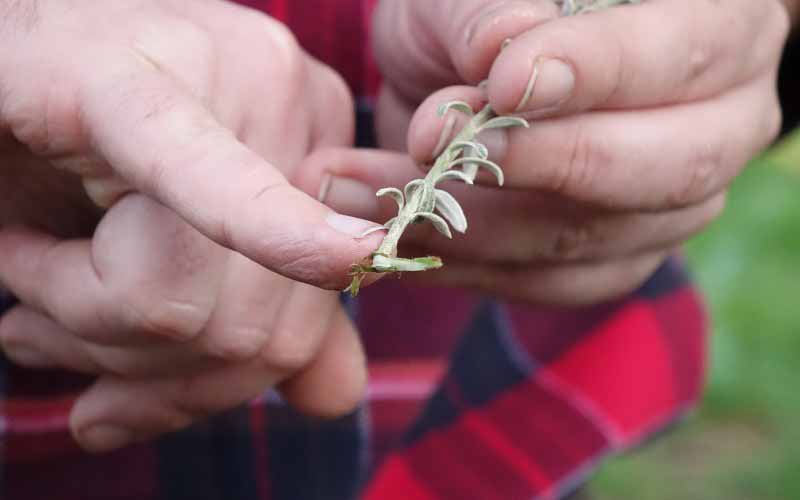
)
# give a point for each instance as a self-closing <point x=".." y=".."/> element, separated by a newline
<point x="744" y="443"/>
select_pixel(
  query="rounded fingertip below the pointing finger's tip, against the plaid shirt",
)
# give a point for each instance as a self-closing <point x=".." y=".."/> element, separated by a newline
<point x="334" y="383"/>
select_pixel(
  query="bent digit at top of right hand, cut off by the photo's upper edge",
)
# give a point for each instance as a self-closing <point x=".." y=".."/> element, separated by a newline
<point x="447" y="42"/>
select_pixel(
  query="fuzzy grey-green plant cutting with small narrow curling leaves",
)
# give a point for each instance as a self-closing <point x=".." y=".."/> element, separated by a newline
<point x="424" y="200"/>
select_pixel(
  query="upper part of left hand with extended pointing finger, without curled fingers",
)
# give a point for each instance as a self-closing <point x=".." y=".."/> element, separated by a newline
<point x="181" y="103"/>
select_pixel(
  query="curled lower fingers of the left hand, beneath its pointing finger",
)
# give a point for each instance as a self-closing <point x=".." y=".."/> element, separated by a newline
<point x="176" y="326"/>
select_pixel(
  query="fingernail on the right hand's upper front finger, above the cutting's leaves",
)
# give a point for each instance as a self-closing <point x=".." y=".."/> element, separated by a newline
<point x="551" y="83"/>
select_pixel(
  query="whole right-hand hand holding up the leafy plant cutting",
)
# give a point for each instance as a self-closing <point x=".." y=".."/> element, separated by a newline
<point x="641" y="116"/>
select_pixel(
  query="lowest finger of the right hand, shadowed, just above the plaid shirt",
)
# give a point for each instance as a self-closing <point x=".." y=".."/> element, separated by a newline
<point x="568" y="285"/>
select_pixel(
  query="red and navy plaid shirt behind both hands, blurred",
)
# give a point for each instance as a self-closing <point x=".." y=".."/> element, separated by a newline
<point x="469" y="398"/>
